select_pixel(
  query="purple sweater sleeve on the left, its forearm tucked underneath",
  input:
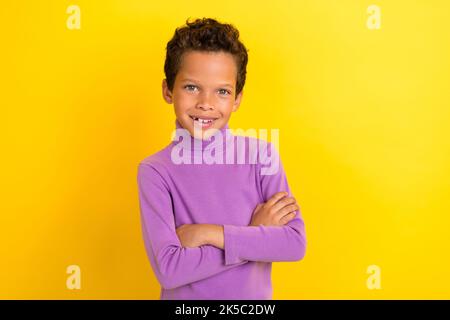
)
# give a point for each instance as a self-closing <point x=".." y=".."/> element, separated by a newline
<point x="173" y="264"/>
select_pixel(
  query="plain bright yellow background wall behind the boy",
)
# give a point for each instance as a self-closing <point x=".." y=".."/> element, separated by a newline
<point x="364" y="137"/>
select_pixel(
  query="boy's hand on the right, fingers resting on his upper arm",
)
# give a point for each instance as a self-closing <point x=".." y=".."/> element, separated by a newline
<point x="277" y="211"/>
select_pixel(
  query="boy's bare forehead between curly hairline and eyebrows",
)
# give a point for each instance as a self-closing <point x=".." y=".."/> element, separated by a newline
<point x="208" y="66"/>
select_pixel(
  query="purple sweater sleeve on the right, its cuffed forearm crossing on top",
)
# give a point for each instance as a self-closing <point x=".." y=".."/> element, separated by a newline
<point x="267" y="243"/>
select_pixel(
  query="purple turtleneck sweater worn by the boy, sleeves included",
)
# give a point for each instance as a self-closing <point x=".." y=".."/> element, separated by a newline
<point x="172" y="194"/>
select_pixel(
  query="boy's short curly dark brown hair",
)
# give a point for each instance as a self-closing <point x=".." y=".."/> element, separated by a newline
<point x="205" y="35"/>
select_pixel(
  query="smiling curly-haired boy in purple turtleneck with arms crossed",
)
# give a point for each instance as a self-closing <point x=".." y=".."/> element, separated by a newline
<point x="212" y="231"/>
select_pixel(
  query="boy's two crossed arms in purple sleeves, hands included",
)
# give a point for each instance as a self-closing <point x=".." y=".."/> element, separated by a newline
<point x="190" y="253"/>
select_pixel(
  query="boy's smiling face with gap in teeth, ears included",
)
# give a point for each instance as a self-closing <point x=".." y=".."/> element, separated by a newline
<point x="204" y="91"/>
